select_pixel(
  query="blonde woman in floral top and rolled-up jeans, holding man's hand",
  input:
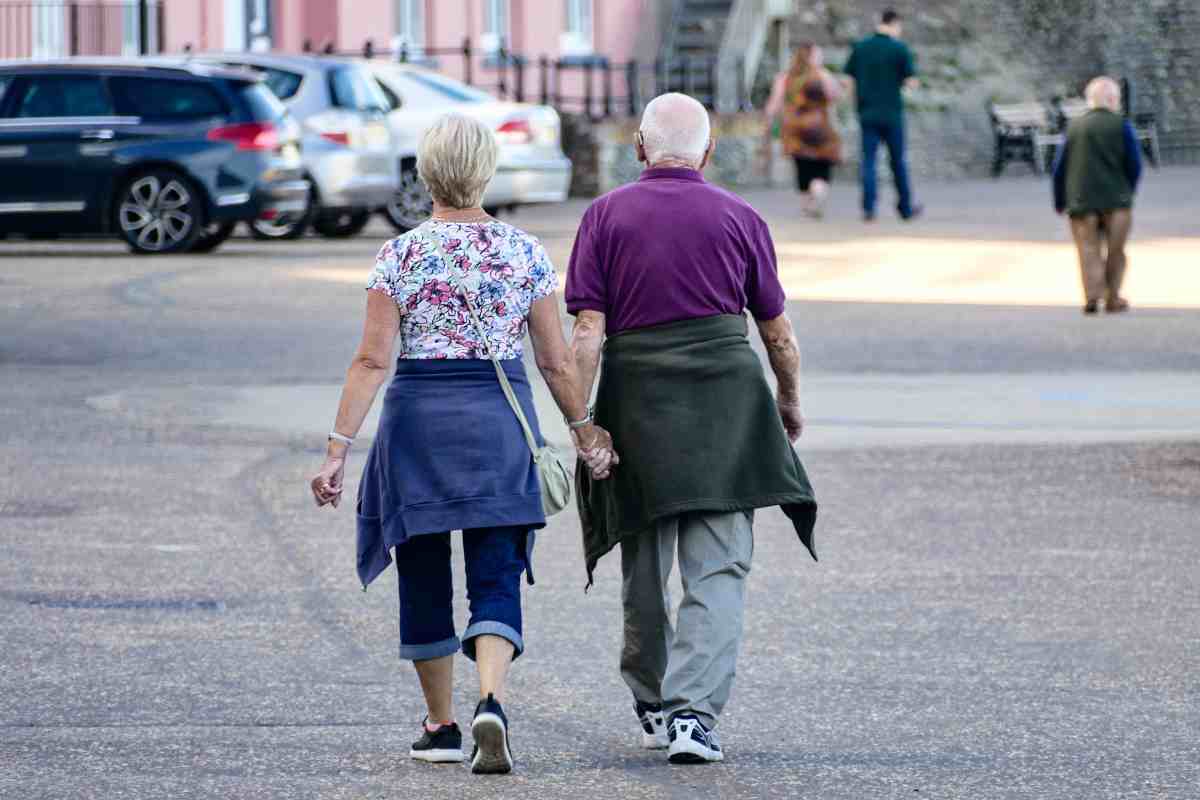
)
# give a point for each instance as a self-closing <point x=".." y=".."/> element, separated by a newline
<point x="453" y="452"/>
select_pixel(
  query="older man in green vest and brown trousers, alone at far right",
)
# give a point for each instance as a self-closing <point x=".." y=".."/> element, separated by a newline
<point x="1095" y="179"/>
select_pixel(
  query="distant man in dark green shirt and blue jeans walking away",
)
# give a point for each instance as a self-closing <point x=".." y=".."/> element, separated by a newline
<point x="881" y="67"/>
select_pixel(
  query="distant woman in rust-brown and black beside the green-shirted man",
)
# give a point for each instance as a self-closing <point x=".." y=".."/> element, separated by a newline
<point x="803" y="98"/>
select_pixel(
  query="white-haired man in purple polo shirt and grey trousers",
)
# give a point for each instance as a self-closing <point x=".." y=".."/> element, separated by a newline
<point x="667" y="268"/>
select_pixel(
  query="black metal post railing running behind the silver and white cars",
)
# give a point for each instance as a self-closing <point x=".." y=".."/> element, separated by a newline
<point x="593" y="86"/>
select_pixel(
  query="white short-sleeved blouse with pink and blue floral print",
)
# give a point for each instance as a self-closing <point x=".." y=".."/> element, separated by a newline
<point x="513" y="269"/>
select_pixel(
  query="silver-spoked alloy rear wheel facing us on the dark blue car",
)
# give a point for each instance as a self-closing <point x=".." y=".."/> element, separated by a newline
<point x="159" y="213"/>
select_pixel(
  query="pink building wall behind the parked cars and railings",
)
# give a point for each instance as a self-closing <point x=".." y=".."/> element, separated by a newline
<point x="536" y="29"/>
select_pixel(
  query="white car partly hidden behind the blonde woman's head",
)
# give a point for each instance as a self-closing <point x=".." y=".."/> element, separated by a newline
<point x="532" y="167"/>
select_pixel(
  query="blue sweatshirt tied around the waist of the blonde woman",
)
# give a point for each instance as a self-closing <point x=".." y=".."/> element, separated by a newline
<point x="449" y="455"/>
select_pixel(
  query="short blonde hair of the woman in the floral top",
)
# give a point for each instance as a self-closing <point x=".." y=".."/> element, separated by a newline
<point x="457" y="159"/>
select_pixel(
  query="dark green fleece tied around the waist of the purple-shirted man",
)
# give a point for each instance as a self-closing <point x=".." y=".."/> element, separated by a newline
<point x="698" y="430"/>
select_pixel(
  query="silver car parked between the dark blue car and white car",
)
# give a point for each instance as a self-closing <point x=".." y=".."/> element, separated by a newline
<point x="347" y="145"/>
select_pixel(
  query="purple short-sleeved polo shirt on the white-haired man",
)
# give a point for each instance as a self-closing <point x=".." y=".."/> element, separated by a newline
<point x="670" y="248"/>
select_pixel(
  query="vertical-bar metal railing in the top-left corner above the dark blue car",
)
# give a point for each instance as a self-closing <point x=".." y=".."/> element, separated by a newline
<point x="63" y="28"/>
